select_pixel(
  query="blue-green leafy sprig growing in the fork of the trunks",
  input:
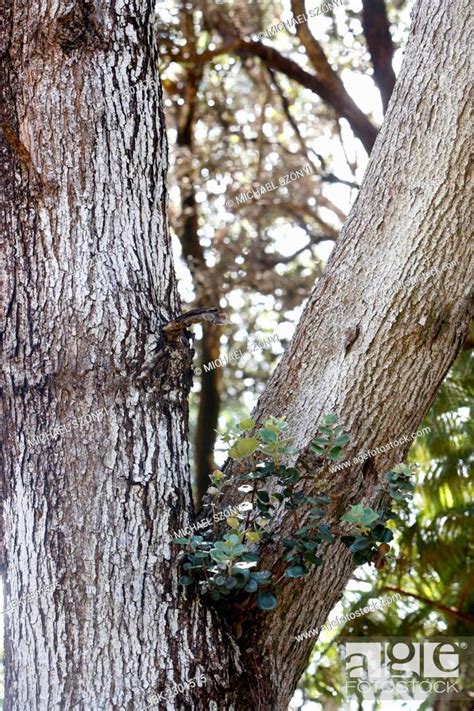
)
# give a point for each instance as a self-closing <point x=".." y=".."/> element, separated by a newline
<point x="221" y="567"/>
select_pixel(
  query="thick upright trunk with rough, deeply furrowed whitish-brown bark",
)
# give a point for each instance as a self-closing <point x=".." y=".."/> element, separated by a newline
<point x="96" y="620"/>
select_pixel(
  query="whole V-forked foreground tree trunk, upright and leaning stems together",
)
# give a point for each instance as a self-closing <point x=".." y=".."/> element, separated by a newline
<point x="99" y="620"/>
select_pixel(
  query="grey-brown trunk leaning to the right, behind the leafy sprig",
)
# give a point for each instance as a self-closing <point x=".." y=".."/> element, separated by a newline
<point x="378" y="355"/>
